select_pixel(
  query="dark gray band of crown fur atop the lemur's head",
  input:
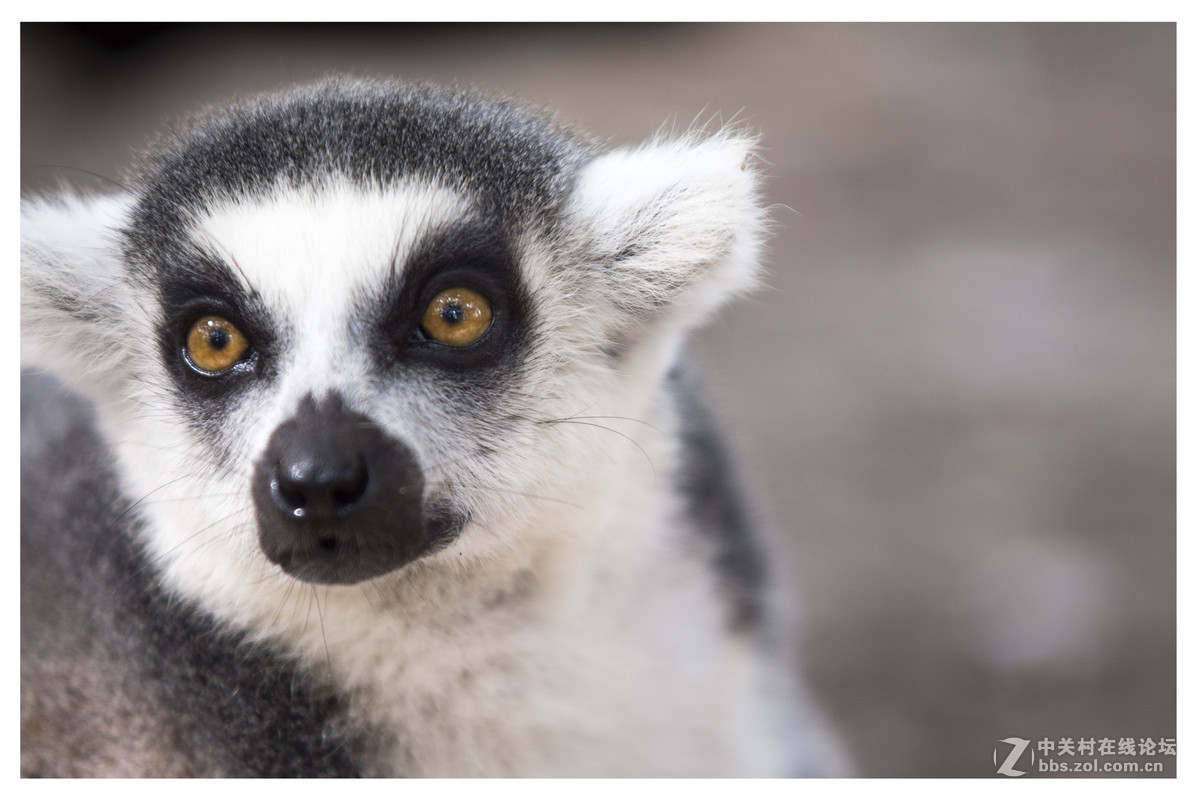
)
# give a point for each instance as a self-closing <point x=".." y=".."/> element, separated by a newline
<point x="519" y="164"/>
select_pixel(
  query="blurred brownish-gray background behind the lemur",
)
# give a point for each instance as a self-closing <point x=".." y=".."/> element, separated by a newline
<point x="957" y="395"/>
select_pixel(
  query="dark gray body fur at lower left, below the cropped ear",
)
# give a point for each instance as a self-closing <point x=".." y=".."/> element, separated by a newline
<point x="118" y="679"/>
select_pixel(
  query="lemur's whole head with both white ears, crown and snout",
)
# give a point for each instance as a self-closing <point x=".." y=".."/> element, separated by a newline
<point x="333" y="328"/>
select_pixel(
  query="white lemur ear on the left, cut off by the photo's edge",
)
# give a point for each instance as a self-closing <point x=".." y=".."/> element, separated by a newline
<point x="76" y="308"/>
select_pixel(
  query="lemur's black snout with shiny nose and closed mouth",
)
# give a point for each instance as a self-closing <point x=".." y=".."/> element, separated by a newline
<point x="341" y="502"/>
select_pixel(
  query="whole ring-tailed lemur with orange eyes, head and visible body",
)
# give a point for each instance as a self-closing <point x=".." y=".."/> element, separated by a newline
<point x="410" y="478"/>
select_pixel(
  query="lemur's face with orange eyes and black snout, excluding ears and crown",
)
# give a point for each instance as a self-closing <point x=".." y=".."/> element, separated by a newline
<point x="364" y="348"/>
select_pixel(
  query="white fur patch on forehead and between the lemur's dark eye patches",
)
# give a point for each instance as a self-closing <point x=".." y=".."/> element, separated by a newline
<point x="311" y="255"/>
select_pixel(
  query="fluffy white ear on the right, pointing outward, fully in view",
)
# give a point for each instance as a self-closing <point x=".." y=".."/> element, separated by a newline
<point x="670" y="228"/>
